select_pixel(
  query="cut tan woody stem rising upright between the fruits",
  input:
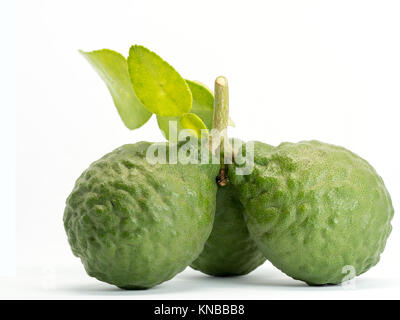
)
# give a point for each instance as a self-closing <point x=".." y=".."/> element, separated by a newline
<point x="219" y="135"/>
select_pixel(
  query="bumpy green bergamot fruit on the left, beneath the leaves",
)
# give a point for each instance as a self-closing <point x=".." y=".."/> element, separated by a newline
<point x="135" y="224"/>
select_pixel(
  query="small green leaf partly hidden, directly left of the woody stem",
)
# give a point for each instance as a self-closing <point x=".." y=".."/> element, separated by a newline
<point x="203" y="102"/>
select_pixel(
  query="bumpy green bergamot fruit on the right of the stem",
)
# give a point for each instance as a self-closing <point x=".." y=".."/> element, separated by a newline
<point x="314" y="208"/>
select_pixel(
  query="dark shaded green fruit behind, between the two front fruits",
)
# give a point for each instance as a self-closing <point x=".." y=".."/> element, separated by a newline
<point x="229" y="251"/>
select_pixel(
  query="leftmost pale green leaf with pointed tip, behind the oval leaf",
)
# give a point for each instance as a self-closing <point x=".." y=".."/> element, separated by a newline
<point x="112" y="67"/>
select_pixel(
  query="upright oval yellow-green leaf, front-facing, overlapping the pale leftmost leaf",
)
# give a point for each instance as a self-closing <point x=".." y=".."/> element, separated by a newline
<point x="158" y="86"/>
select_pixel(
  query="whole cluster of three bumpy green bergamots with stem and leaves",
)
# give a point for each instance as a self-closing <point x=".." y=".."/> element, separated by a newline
<point x="313" y="209"/>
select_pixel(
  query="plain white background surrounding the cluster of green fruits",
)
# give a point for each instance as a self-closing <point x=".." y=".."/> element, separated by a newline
<point x="326" y="70"/>
